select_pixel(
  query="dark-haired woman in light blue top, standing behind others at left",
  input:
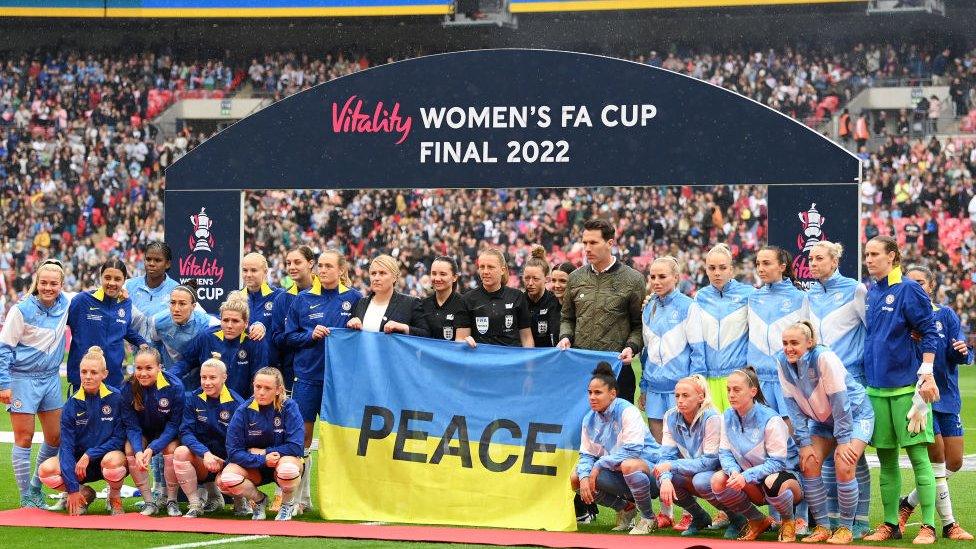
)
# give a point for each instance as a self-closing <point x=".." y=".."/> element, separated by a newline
<point x="150" y="293"/>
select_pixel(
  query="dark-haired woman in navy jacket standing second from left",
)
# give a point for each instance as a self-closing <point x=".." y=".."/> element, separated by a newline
<point x="102" y="318"/>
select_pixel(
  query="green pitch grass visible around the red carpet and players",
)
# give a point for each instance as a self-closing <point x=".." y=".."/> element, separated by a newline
<point x="963" y="487"/>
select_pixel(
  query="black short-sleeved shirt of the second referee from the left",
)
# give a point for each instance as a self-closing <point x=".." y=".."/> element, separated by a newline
<point x="495" y="317"/>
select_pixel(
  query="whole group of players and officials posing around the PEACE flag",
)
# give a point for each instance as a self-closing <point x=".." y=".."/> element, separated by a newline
<point x="867" y="366"/>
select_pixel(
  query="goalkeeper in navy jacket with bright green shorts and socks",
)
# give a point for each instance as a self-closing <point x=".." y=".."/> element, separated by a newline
<point x="898" y="386"/>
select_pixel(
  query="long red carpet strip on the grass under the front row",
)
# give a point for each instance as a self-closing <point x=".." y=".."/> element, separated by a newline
<point x="135" y="521"/>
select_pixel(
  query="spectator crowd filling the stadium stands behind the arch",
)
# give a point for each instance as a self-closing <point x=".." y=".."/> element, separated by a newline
<point x="81" y="168"/>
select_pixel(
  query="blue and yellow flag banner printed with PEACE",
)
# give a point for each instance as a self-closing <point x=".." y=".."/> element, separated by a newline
<point x="425" y="431"/>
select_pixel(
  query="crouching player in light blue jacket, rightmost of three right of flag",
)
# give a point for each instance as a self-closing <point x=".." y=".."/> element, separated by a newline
<point x="758" y="460"/>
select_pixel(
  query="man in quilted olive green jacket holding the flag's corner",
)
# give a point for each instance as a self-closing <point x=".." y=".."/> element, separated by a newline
<point x="602" y="305"/>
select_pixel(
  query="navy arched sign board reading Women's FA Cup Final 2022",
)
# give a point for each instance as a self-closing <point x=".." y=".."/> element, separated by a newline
<point x="505" y="118"/>
